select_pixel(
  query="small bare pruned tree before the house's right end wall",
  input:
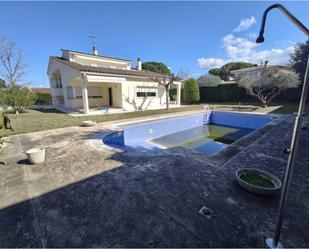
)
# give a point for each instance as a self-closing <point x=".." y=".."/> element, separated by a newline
<point x="168" y="80"/>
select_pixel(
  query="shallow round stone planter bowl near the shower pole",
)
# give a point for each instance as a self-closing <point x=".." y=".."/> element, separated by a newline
<point x="254" y="189"/>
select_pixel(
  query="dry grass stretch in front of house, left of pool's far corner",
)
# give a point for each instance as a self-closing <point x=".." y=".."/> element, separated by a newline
<point x="39" y="120"/>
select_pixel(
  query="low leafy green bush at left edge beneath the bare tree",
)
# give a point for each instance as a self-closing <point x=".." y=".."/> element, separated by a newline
<point x="17" y="97"/>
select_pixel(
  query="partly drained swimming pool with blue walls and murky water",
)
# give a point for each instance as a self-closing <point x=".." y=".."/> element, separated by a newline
<point x="203" y="132"/>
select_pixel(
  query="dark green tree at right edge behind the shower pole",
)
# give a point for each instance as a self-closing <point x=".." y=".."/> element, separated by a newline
<point x="299" y="59"/>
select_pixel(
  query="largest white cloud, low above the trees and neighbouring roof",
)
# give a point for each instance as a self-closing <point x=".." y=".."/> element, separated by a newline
<point x="244" y="49"/>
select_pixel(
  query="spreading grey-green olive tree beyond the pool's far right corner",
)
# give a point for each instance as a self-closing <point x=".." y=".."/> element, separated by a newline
<point x="265" y="85"/>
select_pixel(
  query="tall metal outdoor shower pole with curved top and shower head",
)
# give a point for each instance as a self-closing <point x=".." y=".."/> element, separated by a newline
<point x="274" y="243"/>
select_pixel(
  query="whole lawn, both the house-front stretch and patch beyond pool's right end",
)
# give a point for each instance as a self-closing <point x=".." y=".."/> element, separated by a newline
<point x="39" y="120"/>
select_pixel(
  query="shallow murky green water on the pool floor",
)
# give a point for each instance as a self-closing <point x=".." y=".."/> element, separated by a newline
<point x="209" y="140"/>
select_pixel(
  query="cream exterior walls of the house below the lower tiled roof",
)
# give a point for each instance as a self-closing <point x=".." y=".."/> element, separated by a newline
<point x="124" y="94"/>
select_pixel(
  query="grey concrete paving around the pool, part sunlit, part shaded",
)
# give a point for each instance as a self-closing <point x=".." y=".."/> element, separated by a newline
<point x="83" y="197"/>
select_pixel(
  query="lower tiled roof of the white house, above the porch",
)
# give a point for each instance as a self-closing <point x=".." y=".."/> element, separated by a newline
<point x="105" y="70"/>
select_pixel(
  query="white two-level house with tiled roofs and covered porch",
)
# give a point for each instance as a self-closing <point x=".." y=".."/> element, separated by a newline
<point x="81" y="81"/>
